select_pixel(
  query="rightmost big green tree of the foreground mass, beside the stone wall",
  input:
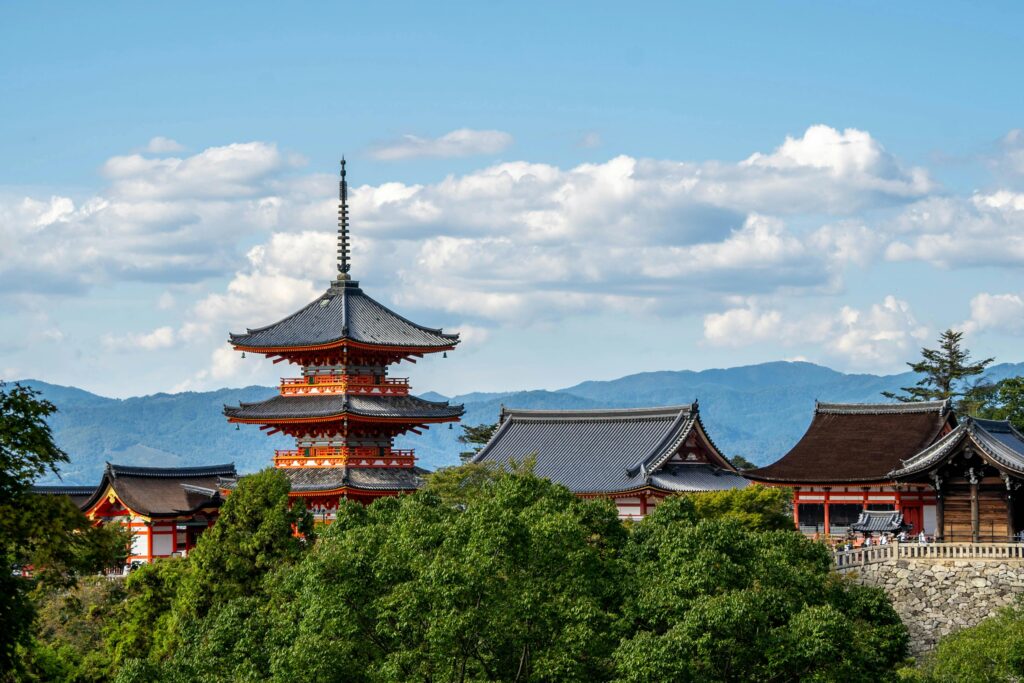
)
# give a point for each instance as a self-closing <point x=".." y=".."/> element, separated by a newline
<point x="711" y="601"/>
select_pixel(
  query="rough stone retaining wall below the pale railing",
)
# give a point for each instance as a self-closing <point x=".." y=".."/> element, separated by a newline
<point x="937" y="597"/>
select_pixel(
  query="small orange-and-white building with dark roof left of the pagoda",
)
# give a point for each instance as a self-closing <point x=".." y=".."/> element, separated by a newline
<point x="166" y="508"/>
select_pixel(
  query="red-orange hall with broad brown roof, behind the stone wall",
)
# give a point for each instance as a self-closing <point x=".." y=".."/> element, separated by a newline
<point x="841" y="467"/>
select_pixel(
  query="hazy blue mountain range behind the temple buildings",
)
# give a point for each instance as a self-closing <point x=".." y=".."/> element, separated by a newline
<point x="756" y="411"/>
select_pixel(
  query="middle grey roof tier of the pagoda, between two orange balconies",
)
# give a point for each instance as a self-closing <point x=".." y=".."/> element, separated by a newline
<point x="282" y="408"/>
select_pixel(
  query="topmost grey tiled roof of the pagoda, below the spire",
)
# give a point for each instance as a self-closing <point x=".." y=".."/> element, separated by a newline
<point x="345" y="313"/>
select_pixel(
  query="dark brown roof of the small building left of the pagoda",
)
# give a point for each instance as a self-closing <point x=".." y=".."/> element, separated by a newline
<point x="163" y="492"/>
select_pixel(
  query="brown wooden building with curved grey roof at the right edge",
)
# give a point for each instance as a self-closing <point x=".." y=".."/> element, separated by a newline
<point x="976" y="471"/>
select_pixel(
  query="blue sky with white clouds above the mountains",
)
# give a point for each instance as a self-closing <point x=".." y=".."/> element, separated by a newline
<point x="583" y="191"/>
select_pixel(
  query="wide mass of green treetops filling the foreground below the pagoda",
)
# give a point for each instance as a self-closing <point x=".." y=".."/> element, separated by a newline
<point x="495" y="574"/>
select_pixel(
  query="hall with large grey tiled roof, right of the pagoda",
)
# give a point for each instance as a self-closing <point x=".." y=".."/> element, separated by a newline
<point x="634" y="456"/>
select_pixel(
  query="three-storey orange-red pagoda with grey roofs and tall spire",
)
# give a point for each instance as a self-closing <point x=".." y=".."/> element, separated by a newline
<point x="344" y="409"/>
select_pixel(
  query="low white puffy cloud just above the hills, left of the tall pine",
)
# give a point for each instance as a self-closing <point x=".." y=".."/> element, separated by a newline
<point x="878" y="336"/>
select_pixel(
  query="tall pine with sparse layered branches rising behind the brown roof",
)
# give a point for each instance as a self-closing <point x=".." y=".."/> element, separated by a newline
<point x="945" y="371"/>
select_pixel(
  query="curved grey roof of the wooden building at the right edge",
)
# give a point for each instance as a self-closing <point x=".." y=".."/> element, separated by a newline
<point x="996" y="439"/>
